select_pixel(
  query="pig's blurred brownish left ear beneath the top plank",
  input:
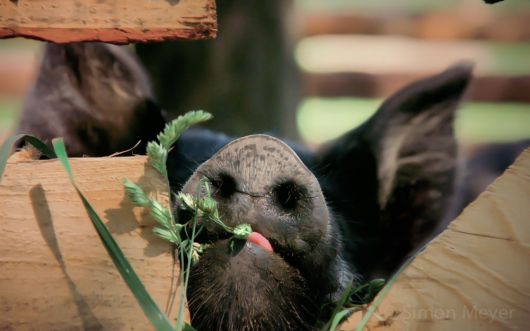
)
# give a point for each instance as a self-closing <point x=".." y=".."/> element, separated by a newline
<point x="96" y="96"/>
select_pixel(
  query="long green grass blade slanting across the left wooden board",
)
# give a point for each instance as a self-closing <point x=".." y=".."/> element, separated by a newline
<point x="149" y="306"/>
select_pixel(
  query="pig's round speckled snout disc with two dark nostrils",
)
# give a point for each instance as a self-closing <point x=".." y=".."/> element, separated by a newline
<point x="259" y="180"/>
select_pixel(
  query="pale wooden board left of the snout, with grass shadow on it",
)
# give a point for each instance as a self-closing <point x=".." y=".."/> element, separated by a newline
<point x="55" y="273"/>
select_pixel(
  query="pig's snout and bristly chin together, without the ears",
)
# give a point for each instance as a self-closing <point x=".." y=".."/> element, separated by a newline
<point x="261" y="181"/>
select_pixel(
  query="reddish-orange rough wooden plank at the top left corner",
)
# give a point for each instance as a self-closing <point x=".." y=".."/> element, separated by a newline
<point x="116" y="21"/>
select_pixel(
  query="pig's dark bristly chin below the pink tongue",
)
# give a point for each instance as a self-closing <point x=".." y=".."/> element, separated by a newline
<point x="250" y="290"/>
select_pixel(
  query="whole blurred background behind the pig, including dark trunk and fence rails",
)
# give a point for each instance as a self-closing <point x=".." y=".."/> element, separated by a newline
<point x="313" y="69"/>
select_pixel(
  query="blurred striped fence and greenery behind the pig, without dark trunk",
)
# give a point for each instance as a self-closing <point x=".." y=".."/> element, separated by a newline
<point x="353" y="53"/>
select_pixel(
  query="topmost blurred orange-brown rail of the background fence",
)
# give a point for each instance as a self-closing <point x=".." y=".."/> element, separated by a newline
<point x="440" y="25"/>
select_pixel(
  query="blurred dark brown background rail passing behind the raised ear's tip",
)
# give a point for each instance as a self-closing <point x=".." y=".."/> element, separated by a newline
<point x="18" y="71"/>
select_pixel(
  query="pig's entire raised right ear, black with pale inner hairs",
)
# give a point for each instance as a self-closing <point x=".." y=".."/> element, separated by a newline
<point x="398" y="169"/>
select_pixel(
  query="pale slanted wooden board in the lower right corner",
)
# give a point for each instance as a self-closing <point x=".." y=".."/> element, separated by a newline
<point x="474" y="276"/>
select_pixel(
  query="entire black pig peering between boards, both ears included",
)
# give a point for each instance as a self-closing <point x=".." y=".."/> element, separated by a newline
<point x="381" y="189"/>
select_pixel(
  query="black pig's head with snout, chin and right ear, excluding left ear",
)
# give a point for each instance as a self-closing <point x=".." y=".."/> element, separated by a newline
<point x="350" y="212"/>
